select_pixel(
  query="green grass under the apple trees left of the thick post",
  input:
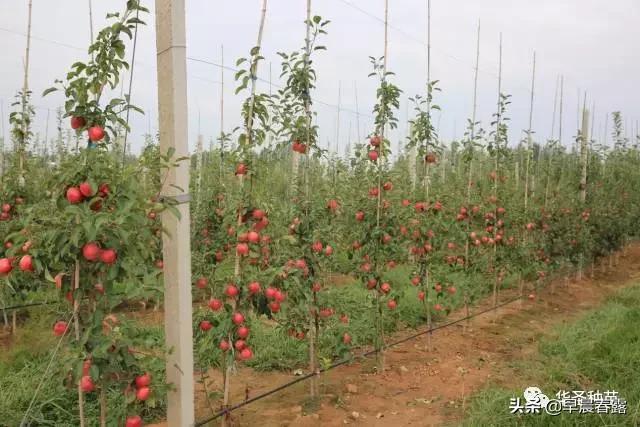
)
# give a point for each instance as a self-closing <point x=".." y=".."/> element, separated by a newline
<point x="22" y="369"/>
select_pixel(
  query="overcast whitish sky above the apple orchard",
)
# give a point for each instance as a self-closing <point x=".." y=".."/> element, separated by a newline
<point x="593" y="43"/>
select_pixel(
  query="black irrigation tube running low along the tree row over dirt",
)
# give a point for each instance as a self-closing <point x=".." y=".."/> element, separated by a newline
<point x="345" y="361"/>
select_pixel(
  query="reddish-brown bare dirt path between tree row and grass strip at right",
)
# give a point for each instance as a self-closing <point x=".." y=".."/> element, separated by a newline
<point x="421" y="386"/>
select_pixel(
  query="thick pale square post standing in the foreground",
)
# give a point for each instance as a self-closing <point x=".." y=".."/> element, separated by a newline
<point x="173" y="119"/>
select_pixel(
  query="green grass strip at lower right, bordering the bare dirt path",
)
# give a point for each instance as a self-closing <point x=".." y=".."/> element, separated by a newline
<point x="599" y="351"/>
